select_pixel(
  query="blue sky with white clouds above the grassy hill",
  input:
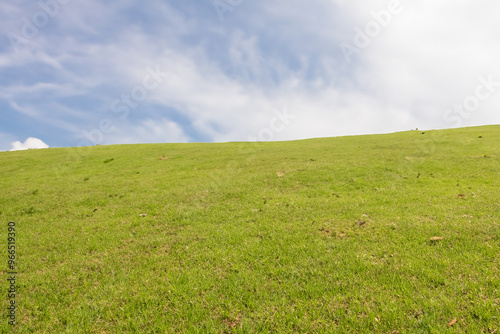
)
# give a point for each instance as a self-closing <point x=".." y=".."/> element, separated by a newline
<point x="81" y="73"/>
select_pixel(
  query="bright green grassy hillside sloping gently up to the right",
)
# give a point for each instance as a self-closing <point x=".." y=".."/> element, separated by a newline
<point x="325" y="235"/>
